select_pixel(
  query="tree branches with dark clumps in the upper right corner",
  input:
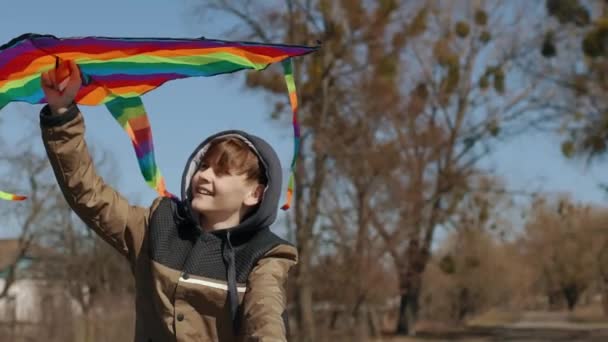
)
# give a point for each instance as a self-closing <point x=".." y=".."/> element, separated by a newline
<point x="572" y="60"/>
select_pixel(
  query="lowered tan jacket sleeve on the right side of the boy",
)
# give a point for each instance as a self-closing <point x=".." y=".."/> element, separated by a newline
<point x="264" y="304"/>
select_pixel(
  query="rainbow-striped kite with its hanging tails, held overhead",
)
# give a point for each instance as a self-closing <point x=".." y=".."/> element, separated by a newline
<point x="117" y="71"/>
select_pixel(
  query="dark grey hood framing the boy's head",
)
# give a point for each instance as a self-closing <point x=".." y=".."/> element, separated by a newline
<point x="266" y="212"/>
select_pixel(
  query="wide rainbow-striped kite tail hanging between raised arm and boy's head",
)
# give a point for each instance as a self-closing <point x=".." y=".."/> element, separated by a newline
<point x="131" y="115"/>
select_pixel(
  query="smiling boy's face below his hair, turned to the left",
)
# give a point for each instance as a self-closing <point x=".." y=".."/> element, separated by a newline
<point x="223" y="197"/>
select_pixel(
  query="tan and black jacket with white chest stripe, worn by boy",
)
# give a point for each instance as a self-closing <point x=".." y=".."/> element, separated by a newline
<point x="171" y="303"/>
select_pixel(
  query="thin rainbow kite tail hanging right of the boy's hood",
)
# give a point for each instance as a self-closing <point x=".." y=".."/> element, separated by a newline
<point x="293" y="99"/>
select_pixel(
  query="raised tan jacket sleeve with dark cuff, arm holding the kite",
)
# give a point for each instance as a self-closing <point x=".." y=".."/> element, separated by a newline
<point x="100" y="207"/>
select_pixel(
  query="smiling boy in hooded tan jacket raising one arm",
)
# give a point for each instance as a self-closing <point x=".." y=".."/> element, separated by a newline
<point x="207" y="268"/>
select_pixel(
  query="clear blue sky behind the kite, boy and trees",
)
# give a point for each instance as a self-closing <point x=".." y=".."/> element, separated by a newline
<point x="184" y="112"/>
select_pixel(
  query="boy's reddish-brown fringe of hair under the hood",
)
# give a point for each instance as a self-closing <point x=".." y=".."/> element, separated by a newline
<point x="231" y="155"/>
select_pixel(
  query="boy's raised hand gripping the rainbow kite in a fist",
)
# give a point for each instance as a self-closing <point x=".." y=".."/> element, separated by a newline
<point x="61" y="85"/>
